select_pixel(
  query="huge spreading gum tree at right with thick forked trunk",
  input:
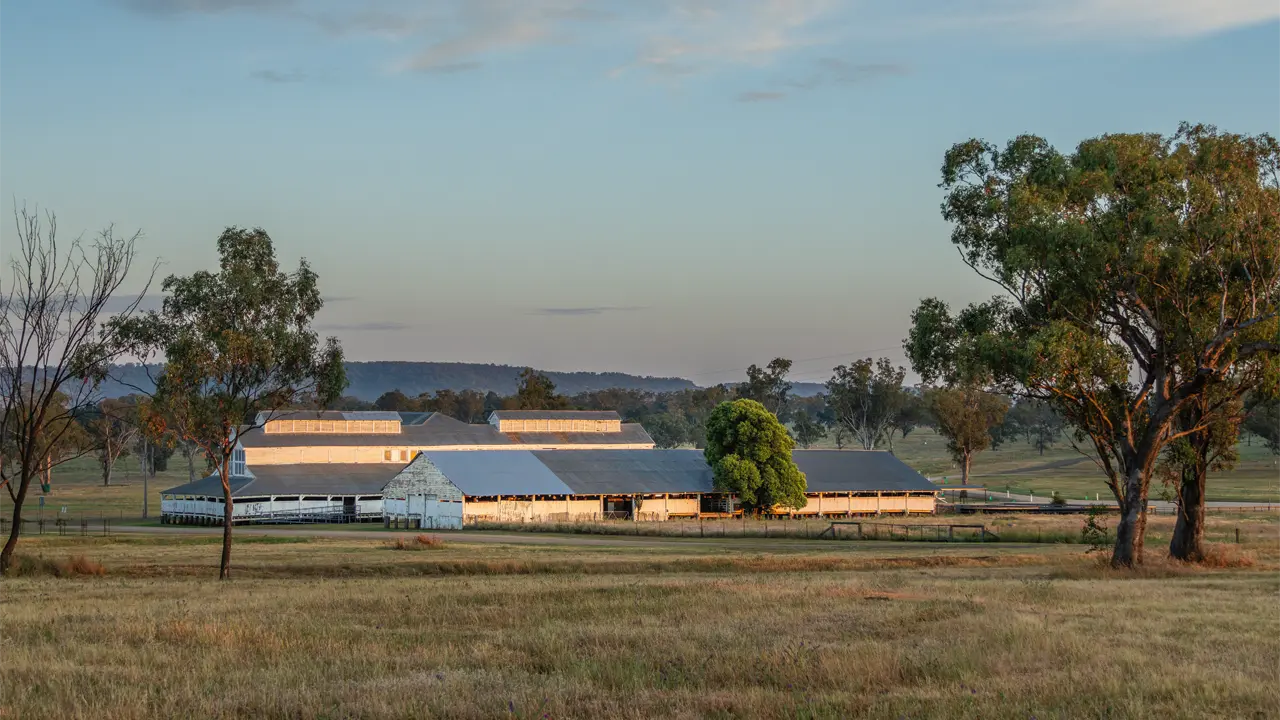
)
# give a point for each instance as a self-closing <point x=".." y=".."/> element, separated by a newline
<point x="1135" y="274"/>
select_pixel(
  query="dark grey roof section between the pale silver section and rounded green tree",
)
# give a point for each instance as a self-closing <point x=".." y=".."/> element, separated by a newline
<point x="609" y="472"/>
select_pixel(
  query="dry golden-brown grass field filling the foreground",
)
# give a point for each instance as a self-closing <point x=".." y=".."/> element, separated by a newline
<point x="636" y="628"/>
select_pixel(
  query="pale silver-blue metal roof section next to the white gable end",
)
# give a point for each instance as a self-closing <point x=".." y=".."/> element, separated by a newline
<point x="497" y="472"/>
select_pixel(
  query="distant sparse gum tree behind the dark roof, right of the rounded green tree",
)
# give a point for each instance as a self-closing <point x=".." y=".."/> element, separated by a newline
<point x="867" y="398"/>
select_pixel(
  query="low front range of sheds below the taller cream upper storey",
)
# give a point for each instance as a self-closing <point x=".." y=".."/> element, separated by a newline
<point x="449" y="489"/>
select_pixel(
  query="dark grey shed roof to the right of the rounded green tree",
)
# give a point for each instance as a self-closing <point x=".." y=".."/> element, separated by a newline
<point x="858" y="471"/>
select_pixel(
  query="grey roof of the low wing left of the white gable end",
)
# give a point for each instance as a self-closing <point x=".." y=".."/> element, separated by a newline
<point x="319" y="479"/>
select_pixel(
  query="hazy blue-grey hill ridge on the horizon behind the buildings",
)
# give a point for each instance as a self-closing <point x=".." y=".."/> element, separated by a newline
<point x="372" y="380"/>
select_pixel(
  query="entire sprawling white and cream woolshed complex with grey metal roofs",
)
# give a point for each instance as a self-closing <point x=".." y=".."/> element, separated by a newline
<point x="522" y="467"/>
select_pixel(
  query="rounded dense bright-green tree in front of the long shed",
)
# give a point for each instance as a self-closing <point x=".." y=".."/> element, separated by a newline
<point x="751" y="454"/>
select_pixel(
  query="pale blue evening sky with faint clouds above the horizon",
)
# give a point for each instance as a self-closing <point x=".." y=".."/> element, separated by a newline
<point x="669" y="188"/>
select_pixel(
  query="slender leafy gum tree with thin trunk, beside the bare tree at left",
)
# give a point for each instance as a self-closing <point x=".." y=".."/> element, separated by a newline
<point x="239" y="348"/>
